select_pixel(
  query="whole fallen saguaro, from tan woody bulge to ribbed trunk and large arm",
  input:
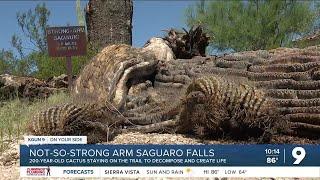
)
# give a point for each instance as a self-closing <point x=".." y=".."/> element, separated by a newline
<point x="274" y="90"/>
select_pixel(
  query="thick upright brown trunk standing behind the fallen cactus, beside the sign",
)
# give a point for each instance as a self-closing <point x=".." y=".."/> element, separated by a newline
<point x="109" y="22"/>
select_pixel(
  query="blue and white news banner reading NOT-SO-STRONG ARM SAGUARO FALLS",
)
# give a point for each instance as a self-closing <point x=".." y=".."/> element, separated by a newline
<point x="87" y="160"/>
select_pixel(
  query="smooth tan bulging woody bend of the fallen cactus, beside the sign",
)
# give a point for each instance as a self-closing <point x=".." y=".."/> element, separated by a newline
<point x="111" y="73"/>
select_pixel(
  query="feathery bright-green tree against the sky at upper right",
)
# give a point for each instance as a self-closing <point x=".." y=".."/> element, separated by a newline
<point x="252" y="25"/>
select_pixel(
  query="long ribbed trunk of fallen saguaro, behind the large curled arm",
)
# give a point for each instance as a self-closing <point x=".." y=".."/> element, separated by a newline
<point x="289" y="76"/>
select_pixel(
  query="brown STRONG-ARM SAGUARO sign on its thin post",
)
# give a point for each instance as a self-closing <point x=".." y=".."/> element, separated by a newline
<point x="67" y="42"/>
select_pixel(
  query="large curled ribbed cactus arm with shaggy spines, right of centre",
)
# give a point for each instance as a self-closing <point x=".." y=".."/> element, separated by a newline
<point x="216" y="105"/>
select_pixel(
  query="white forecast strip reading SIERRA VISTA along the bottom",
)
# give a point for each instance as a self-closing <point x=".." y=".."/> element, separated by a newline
<point x="170" y="172"/>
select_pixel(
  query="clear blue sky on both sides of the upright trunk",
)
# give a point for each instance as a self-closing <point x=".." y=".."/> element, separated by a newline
<point x="149" y="17"/>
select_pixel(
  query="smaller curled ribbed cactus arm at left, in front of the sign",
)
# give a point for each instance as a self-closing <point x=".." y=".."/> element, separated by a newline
<point x="98" y="123"/>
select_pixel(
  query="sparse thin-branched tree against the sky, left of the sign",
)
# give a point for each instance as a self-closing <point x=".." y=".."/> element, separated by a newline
<point x="33" y="24"/>
